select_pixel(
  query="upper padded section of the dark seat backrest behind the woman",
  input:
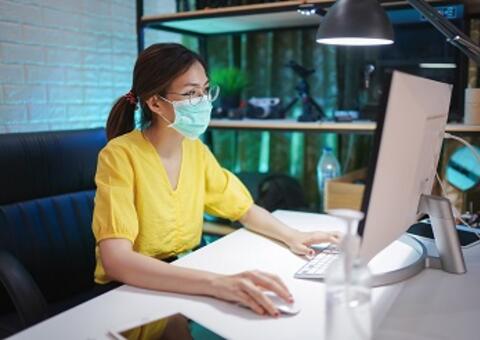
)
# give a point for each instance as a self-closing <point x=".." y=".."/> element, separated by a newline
<point x="41" y="164"/>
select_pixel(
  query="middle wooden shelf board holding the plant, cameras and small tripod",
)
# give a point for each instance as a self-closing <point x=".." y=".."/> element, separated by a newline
<point x="292" y="125"/>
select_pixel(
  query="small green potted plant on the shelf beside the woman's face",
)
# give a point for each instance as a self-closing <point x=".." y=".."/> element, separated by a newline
<point x="231" y="81"/>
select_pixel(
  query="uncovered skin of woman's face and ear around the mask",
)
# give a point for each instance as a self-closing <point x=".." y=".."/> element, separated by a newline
<point x="193" y="83"/>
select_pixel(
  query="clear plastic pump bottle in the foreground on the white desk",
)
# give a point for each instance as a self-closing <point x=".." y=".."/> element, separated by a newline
<point x="348" y="294"/>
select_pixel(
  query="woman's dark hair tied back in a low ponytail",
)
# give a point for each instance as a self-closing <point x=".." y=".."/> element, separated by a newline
<point x="155" y="69"/>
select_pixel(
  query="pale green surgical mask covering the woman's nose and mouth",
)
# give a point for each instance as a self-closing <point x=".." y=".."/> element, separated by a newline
<point x="191" y="120"/>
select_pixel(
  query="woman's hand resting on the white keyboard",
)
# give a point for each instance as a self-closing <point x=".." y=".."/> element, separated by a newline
<point x="300" y="242"/>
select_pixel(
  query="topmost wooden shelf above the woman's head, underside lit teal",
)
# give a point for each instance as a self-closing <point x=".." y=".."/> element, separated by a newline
<point x="241" y="19"/>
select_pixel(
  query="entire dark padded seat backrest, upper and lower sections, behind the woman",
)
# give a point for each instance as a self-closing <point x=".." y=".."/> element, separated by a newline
<point x="46" y="203"/>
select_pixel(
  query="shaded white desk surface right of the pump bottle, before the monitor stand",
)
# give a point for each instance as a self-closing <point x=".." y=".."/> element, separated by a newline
<point x="437" y="305"/>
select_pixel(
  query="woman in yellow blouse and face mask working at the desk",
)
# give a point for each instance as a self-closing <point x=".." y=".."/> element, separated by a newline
<point x="153" y="186"/>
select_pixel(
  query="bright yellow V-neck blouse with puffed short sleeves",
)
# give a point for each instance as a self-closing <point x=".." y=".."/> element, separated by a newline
<point x="135" y="200"/>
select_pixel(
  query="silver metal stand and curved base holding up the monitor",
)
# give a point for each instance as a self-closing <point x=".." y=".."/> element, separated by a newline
<point x="450" y="257"/>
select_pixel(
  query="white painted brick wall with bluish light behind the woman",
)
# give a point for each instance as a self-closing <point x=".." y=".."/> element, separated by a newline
<point x="64" y="62"/>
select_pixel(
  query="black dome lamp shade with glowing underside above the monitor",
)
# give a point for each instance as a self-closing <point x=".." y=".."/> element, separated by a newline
<point x="355" y="22"/>
